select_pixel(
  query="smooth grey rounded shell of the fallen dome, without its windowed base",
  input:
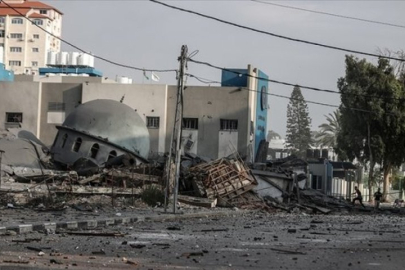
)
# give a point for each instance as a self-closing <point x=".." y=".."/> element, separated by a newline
<point x="111" y="120"/>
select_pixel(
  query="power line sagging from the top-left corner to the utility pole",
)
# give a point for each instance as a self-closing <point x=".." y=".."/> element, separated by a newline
<point x="78" y="48"/>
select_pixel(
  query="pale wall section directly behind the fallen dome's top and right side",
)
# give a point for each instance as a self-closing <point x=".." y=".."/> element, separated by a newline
<point x="146" y="99"/>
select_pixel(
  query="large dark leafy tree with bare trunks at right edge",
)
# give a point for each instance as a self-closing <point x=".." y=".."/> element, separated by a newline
<point x="372" y="116"/>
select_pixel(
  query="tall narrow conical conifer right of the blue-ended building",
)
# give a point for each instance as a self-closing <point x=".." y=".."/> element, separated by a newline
<point x="298" y="136"/>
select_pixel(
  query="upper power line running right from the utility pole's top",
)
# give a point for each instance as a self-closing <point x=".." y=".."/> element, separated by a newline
<point x="291" y="84"/>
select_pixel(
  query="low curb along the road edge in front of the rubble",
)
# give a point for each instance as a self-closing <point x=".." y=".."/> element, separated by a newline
<point x="108" y="222"/>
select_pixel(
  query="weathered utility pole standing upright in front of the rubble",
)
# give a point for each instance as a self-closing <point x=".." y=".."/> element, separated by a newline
<point x="176" y="135"/>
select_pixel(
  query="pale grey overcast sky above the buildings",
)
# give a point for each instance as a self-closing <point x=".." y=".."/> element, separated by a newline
<point x="147" y="35"/>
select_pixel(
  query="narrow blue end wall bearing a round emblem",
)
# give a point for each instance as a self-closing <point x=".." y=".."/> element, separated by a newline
<point x="261" y="109"/>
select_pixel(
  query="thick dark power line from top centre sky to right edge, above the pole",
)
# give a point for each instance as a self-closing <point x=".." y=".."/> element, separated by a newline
<point x="275" y="35"/>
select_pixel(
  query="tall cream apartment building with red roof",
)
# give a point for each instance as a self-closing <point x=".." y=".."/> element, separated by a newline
<point x="23" y="45"/>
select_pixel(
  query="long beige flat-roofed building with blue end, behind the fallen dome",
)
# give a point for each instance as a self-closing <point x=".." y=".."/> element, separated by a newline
<point x="217" y="121"/>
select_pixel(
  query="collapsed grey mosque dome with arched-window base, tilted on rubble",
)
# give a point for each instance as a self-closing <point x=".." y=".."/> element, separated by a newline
<point x="101" y="129"/>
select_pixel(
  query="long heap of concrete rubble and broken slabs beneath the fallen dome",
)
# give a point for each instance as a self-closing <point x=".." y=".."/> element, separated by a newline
<point x="29" y="174"/>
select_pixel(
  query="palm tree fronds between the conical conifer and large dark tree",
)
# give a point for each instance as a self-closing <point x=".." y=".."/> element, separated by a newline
<point x="327" y="135"/>
